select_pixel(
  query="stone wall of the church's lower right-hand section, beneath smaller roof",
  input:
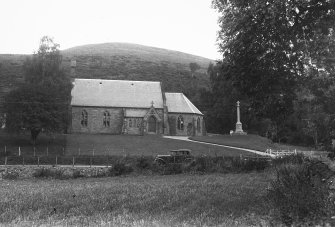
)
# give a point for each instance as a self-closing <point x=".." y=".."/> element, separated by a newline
<point x="190" y="125"/>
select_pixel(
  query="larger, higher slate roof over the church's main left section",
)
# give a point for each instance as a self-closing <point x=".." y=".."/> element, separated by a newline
<point x="116" y="93"/>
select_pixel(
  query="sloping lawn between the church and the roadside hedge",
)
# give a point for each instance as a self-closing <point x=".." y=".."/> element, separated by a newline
<point x="84" y="144"/>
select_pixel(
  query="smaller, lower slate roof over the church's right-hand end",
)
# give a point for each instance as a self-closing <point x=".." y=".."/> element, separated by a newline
<point x="179" y="103"/>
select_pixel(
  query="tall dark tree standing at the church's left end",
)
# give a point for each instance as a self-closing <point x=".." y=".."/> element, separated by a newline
<point x="42" y="102"/>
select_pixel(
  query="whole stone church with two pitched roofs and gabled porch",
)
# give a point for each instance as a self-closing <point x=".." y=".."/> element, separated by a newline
<point x="132" y="107"/>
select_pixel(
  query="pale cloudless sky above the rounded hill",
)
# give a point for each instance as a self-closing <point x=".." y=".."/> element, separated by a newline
<point x="184" y="25"/>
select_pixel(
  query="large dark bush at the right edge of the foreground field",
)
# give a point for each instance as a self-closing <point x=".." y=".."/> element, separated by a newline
<point x="300" y="194"/>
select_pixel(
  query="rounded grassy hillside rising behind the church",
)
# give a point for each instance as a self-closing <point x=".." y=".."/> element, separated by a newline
<point x="122" y="61"/>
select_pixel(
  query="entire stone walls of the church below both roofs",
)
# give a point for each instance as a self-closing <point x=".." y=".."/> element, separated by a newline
<point x="118" y="121"/>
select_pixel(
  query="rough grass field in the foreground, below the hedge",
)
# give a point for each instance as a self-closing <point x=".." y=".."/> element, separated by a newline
<point x="214" y="199"/>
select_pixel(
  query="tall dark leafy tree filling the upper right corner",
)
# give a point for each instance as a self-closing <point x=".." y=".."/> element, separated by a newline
<point x="266" y="43"/>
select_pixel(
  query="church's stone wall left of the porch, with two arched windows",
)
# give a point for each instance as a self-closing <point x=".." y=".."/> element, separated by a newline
<point x="95" y="120"/>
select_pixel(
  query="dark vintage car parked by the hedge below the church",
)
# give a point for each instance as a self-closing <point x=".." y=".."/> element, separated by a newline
<point x="176" y="156"/>
